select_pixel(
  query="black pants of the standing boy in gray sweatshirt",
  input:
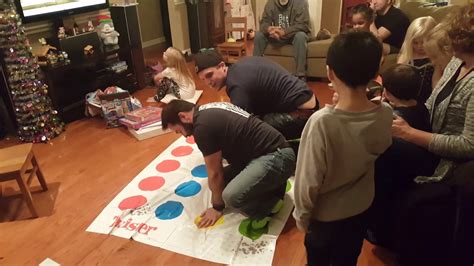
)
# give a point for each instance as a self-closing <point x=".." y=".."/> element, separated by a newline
<point x="336" y="243"/>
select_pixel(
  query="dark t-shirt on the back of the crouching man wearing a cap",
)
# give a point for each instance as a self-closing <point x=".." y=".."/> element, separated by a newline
<point x="260" y="86"/>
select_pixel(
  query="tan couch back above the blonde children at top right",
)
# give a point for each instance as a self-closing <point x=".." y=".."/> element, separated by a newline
<point x="418" y="9"/>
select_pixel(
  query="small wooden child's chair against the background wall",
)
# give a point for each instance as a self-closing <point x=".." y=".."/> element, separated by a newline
<point x="233" y="51"/>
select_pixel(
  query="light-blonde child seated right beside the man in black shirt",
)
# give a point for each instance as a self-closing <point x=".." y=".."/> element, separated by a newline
<point x="413" y="53"/>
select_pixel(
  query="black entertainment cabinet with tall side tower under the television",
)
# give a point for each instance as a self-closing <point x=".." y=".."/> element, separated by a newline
<point x="69" y="84"/>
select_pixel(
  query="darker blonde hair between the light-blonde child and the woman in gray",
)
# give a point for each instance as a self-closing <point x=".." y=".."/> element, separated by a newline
<point x="437" y="45"/>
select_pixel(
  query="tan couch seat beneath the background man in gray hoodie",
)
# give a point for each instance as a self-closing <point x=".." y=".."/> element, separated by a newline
<point x="315" y="49"/>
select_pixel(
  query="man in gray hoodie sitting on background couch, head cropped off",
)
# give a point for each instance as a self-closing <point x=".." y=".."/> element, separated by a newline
<point x="285" y="22"/>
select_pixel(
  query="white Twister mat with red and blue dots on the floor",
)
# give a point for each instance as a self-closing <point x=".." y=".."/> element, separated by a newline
<point x="160" y="205"/>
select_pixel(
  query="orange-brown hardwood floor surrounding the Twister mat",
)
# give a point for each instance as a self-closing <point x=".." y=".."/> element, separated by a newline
<point x="86" y="167"/>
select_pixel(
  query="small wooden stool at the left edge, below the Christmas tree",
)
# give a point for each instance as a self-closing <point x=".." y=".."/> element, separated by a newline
<point x="15" y="163"/>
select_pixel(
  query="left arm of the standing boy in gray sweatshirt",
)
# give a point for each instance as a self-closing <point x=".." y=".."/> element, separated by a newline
<point x="310" y="172"/>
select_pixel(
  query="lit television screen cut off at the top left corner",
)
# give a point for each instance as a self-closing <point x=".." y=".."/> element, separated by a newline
<point x="40" y="9"/>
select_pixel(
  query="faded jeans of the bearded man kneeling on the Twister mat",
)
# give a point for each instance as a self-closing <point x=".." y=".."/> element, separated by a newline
<point x="255" y="188"/>
